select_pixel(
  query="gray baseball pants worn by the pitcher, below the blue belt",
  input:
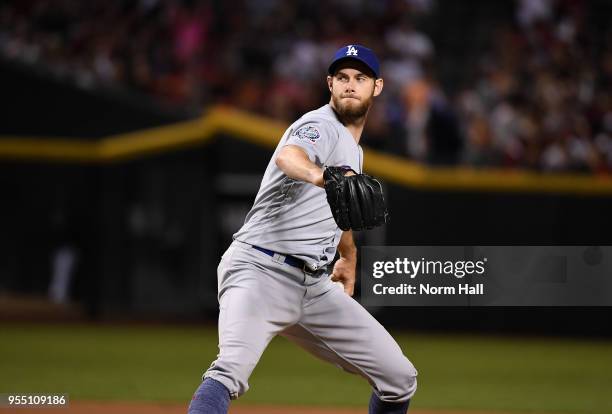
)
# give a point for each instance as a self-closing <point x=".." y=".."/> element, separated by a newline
<point x="261" y="297"/>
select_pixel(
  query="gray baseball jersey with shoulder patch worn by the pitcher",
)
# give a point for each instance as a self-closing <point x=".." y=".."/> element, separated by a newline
<point x="292" y="217"/>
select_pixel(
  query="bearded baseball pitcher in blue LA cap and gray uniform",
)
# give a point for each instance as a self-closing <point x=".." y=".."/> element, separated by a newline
<point x="274" y="280"/>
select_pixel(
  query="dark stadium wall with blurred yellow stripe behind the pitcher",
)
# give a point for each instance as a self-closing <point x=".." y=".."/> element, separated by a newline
<point x="147" y="202"/>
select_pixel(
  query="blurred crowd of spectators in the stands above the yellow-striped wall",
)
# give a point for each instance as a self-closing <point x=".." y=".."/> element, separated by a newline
<point x="537" y="97"/>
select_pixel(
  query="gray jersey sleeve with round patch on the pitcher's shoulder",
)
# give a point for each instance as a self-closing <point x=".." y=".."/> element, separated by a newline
<point x="316" y="138"/>
